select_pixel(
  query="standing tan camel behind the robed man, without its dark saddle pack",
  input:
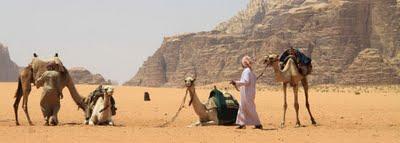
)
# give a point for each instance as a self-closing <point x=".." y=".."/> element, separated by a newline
<point x="290" y="74"/>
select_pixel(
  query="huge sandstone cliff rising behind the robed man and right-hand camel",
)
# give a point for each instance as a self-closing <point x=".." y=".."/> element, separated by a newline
<point x="340" y="36"/>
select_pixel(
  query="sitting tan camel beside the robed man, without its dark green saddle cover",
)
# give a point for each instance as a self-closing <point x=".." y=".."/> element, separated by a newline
<point x="208" y="112"/>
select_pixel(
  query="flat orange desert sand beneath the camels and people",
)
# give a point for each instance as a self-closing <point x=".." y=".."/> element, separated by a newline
<point x="355" y="114"/>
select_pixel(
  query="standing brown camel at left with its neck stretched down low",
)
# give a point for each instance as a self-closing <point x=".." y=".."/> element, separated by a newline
<point x="31" y="73"/>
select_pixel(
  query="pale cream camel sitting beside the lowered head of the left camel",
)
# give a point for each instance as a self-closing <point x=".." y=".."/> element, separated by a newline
<point x="102" y="114"/>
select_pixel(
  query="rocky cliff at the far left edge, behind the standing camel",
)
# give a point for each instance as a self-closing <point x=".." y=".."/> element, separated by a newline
<point x="8" y="69"/>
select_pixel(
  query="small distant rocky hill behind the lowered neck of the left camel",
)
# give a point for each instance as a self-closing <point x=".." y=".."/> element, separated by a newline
<point x="81" y="75"/>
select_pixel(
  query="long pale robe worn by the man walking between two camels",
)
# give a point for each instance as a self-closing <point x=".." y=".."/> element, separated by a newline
<point x="247" y="114"/>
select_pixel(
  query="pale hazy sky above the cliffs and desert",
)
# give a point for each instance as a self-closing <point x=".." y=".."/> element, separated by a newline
<point x="110" y="37"/>
